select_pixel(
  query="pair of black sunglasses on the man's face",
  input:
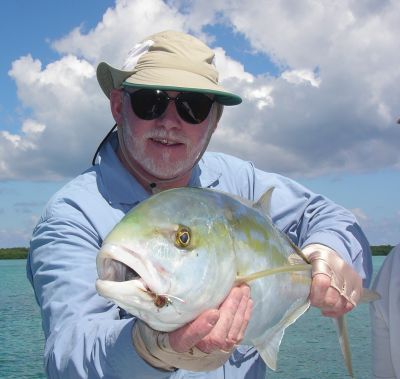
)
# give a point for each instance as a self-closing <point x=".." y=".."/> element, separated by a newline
<point x="149" y="104"/>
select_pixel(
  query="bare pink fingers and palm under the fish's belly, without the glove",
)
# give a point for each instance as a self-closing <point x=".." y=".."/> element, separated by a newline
<point x="216" y="329"/>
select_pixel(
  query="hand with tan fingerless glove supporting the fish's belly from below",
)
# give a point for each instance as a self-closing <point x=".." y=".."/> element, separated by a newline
<point x="202" y="345"/>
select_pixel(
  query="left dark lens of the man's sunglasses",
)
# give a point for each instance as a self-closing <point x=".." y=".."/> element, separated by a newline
<point x="149" y="104"/>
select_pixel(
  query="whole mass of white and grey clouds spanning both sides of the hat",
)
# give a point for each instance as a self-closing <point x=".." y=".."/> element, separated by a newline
<point x="333" y="108"/>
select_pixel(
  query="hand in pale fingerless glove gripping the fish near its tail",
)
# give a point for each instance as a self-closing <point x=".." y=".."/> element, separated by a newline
<point x="336" y="287"/>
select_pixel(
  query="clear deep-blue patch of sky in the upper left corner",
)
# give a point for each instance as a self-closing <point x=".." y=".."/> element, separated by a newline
<point x="28" y="27"/>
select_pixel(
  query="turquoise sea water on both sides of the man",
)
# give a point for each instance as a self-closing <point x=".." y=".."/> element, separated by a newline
<point x="310" y="348"/>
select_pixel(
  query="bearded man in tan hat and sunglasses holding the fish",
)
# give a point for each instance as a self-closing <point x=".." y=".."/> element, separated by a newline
<point x="167" y="103"/>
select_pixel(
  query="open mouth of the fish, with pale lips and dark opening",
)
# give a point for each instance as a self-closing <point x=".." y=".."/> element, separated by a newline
<point x="117" y="264"/>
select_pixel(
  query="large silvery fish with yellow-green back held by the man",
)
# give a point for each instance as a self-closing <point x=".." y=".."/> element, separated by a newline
<point x="182" y="250"/>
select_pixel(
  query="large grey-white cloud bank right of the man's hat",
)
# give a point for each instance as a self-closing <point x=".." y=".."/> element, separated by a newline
<point x="334" y="107"/>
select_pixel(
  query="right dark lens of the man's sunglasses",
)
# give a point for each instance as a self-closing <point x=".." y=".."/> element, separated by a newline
<point x="193" y="107"/>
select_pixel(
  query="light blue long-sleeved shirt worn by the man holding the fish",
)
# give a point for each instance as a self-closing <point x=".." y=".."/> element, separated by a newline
<point x="88" y="336"/>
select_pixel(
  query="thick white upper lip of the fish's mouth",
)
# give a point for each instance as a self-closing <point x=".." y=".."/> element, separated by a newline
<point x="135" y="261"/>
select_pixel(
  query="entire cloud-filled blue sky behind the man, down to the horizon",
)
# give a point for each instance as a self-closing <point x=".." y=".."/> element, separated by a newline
<point x="319" y="83"/>
